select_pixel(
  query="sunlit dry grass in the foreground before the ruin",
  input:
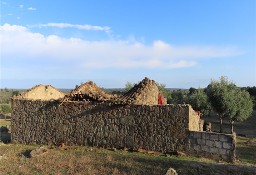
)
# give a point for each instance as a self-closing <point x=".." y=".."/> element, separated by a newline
<point x="77" y="160"/>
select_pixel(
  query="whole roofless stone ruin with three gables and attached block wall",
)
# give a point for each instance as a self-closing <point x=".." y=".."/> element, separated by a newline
<point x="91" y="117"/>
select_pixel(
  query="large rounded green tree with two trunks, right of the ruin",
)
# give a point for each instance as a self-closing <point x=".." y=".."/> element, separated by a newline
<point x="229" y="101"/>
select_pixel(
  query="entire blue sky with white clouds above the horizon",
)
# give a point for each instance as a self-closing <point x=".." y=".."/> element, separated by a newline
<point x="180" y="43"/>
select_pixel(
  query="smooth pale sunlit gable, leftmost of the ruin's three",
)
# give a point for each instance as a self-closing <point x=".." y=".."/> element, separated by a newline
<point x="42" y="92"/>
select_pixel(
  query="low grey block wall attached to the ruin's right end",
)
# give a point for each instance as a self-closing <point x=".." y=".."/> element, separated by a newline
<point x="213" y="145"/>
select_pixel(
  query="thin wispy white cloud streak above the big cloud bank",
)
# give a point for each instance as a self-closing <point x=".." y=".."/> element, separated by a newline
<point x="76" y="26"/>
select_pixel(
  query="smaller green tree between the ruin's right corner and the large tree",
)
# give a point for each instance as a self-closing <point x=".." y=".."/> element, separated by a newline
<point x="199" y="101"/>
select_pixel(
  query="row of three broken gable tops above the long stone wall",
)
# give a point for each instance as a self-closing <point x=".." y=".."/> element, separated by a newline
<point x="145" y="92"/>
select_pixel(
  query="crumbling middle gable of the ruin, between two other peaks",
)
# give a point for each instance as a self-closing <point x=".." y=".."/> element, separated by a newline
<point x="89" y="92"/>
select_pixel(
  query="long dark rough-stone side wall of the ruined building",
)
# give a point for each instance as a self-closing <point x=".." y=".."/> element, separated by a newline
<point x="159" y="127"/>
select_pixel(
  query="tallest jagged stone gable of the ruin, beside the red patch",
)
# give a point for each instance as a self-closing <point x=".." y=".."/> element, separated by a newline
<point x="144" y="93"/>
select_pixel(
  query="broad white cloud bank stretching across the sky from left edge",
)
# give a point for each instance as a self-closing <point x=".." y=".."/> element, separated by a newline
<point x="19" y="43"/>
